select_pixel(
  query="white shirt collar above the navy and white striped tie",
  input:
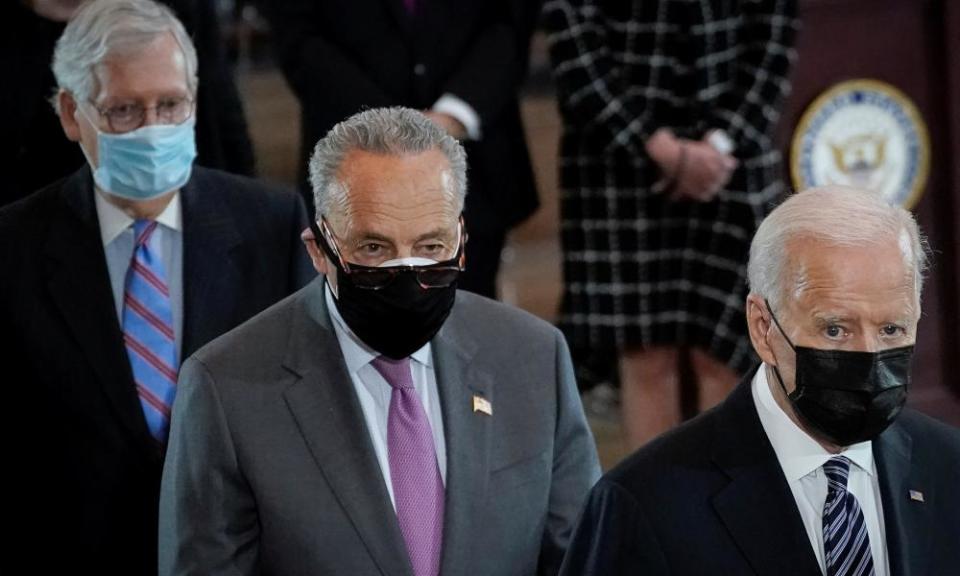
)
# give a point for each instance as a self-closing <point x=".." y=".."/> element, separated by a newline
<point x="798" y="453"/>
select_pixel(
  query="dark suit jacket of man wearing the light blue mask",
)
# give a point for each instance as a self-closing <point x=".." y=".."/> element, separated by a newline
<point x="85" y="471"/>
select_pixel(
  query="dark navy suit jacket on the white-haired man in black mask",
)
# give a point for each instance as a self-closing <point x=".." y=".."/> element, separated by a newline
<point x="710" y="498"/>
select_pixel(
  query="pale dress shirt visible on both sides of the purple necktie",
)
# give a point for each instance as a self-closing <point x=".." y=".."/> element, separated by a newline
<point x="374" y="392"/>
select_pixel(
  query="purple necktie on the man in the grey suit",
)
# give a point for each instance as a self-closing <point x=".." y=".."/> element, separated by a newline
<point x="414" y="473"/>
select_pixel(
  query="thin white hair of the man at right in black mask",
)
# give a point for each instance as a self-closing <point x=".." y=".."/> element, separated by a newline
<point x="837" y="216"/>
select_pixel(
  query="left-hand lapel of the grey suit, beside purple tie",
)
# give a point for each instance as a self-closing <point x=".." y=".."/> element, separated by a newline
<point x="328" y="414"/>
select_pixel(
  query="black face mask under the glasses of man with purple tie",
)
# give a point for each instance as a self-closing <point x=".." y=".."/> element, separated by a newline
<point x="396" y="320"/>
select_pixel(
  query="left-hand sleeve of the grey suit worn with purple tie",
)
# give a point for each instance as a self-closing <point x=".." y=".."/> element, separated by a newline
<point x="208" y="519"/>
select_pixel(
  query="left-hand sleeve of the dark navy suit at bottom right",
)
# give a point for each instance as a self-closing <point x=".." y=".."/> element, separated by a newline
<point x="613" y="538"/>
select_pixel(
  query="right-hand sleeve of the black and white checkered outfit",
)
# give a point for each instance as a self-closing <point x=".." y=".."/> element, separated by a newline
<point x="750" y="110"/>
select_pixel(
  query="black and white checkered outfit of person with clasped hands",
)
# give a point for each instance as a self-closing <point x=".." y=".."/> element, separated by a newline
<point x="640" y="270"/>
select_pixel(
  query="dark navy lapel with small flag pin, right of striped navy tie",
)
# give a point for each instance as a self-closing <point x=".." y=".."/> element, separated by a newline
<point x="907" y="521"/>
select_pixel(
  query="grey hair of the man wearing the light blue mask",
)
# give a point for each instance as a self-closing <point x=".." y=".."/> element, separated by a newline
<point x="103" y="28"/>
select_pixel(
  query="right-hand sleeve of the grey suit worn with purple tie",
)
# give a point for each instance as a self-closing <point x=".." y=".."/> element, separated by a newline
<point x="575" y="464"/>
